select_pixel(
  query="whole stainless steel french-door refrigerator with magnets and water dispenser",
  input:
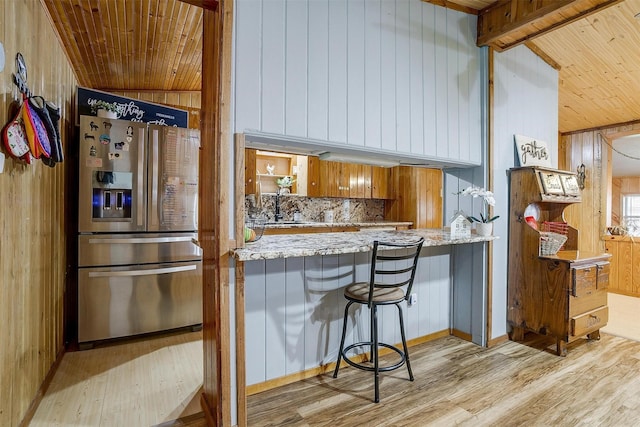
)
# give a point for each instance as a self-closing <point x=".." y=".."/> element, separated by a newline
<point x="139" y="265"/>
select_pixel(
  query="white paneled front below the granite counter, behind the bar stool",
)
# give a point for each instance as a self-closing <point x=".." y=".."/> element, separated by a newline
<point x="294" y="309"/>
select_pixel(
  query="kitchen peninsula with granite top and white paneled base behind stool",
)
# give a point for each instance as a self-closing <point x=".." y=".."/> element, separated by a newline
<point x="289" y="301"/>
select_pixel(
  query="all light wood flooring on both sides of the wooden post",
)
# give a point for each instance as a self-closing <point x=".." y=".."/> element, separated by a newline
<point x="154" y="381"/>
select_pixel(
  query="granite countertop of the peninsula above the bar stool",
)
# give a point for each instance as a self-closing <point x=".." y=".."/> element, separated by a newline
<point x="298" y="245"/>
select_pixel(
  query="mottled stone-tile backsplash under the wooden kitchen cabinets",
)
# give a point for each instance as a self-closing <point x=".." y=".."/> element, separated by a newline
<point x="312" y="208"/>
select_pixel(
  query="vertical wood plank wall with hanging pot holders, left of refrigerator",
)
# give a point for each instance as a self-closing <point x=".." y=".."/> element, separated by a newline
<point x="32" y="217"/>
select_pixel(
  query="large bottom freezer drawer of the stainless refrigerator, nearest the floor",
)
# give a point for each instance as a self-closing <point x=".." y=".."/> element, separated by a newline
<point x="123" y="301"/>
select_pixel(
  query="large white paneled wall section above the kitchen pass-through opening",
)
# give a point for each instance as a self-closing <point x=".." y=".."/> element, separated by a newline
<point x="399" y="75"/>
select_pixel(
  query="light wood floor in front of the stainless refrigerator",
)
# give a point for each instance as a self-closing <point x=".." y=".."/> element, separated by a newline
<point x="143" y="382"/>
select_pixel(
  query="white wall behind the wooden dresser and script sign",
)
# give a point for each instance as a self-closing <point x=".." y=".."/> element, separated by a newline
<point x="525" y="103"/>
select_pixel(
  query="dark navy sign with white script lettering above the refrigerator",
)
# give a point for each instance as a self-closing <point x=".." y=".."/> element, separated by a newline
<point x="132" y="109"/>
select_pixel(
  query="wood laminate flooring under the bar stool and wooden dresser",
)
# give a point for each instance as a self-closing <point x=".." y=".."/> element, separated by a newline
<point x="459" y="383"/>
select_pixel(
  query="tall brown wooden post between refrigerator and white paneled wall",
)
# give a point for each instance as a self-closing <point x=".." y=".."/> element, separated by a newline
<point x="213" y="192"/>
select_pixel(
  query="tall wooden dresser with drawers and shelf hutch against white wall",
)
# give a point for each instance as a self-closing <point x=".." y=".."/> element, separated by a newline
<point x="562" y="295"/>
